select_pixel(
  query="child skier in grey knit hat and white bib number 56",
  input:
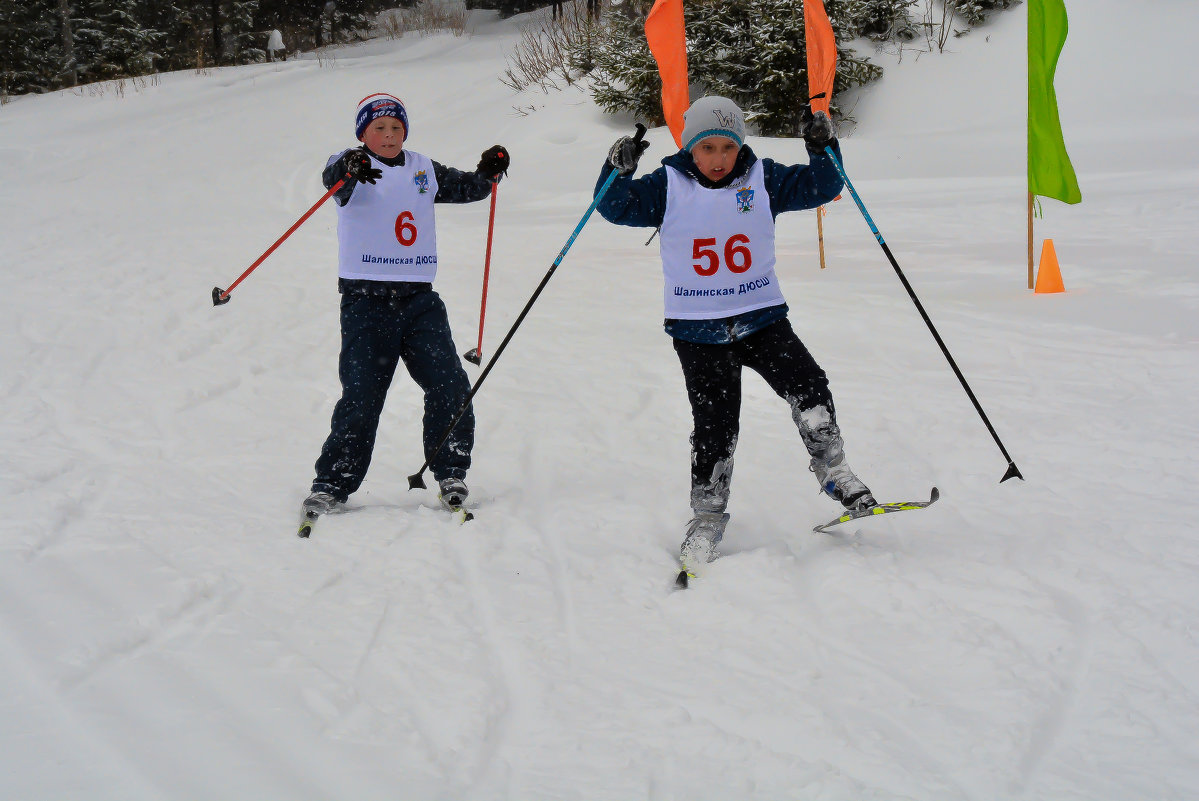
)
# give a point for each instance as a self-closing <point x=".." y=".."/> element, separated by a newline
<point x="715" y="203"/>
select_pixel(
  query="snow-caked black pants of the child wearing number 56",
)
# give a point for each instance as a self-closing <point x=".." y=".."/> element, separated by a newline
<point x="713" y="375"/>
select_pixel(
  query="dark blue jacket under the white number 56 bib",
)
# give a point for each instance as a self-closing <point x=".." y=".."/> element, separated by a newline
<point x="643" y="203"/>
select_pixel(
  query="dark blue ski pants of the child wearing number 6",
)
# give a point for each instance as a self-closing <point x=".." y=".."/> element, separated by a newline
<point x="377" y="335"/>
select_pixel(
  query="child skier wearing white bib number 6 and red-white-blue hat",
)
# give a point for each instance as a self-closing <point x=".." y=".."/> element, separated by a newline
<point x="390" y="314"/>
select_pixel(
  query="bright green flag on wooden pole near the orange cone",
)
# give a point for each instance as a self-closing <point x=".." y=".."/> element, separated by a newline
<point x="1051" y="174"/>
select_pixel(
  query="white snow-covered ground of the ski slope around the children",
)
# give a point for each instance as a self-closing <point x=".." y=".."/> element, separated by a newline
<point x="164" y="634"/>
